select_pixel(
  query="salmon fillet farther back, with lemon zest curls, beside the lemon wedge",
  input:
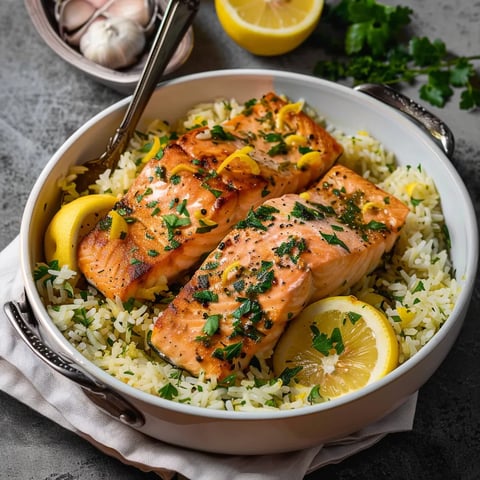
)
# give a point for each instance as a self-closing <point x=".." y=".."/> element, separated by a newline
<point x="182" y="204"/>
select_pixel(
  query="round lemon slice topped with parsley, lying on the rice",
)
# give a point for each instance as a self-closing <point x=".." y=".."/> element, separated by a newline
<point x="341" y="345"/>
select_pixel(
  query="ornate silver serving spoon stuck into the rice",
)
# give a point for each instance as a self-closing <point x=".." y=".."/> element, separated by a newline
<point x="177" y="18"/>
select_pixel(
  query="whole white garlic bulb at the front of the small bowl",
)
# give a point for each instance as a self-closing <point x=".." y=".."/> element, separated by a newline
<point x="113" y="42"/>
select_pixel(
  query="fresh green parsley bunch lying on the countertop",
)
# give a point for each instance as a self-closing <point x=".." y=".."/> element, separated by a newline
<point x="376" y="48"/>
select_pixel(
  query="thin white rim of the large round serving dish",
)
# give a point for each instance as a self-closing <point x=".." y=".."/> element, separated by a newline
<point x="401" y="370"/>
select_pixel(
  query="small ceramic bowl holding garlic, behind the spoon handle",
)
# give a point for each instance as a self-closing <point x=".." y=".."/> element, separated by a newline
<point x="125" y="80"/>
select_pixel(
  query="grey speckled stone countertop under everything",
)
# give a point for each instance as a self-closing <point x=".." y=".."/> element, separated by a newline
<point x="43" y="100"/>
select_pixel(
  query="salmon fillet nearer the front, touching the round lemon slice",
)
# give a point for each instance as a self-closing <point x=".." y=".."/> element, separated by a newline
<point x="285" y="254"/>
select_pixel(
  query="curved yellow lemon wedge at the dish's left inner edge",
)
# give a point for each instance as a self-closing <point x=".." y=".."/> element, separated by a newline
<point x="72" y="222"/>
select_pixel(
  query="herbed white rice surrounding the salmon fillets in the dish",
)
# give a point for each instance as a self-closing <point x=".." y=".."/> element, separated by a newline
<point x="414" y="286"/>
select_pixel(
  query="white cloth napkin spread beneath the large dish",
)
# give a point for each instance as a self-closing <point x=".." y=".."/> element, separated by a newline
<point x="28" y="379"/>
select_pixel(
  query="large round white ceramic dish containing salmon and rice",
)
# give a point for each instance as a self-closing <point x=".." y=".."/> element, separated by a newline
<point x="268" y="432"/>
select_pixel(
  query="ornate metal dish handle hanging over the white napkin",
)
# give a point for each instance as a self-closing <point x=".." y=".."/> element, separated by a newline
<point x="22" y="319"/>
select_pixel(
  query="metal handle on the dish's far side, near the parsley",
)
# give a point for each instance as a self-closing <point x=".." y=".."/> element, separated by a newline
<point x="432" y="124"/>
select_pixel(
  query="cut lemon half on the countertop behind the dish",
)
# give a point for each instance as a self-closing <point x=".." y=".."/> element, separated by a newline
<point x="269" y="27"/>
